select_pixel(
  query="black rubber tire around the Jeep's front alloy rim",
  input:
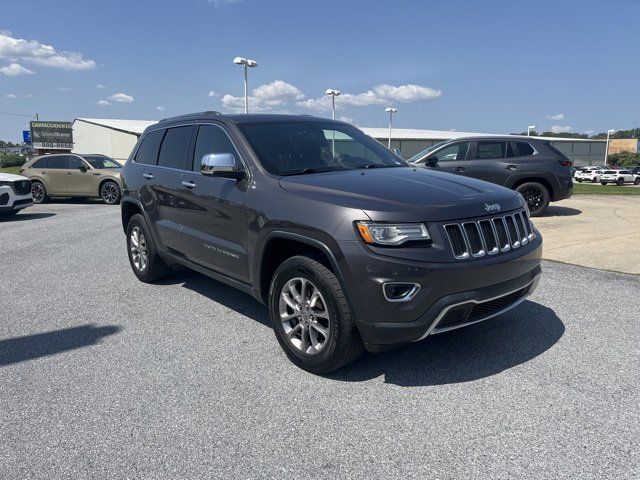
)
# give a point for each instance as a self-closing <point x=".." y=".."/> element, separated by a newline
<point x="343" y="343"/>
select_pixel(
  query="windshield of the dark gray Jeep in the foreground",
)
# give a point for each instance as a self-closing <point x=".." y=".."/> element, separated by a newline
<point x="292" y="148"/>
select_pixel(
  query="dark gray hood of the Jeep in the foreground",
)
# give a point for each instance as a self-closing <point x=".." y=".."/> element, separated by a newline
<point x="405" y="194"/>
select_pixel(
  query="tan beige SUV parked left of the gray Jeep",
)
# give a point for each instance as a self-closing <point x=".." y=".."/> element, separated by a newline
<point x="70" y="175"/>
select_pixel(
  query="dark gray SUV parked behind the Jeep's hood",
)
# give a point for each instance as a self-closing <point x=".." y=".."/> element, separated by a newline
<point x="532" y="167"/>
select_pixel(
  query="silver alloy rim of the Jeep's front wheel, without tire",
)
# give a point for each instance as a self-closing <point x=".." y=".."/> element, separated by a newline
<point x="305" y="316"/>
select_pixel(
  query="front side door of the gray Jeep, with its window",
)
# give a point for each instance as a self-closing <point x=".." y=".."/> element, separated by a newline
<point x="213" y="210"/>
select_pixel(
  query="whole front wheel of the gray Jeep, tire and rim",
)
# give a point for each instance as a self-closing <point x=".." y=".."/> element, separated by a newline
<point x="310" y="316"/>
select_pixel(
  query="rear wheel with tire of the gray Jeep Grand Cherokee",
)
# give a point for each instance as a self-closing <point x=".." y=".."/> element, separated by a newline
<point x="143" y="255"/>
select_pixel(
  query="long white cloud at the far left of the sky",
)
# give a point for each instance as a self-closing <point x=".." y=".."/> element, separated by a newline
<point x="32" y="51"/>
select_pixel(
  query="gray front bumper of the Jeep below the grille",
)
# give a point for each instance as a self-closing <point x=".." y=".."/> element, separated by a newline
<point x="447" y="290"/>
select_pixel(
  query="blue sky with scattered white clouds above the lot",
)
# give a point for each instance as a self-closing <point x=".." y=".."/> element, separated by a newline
<point x="490" y="66"/>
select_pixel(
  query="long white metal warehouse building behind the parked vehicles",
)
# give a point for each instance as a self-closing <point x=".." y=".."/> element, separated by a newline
<point x="116" y="138"/>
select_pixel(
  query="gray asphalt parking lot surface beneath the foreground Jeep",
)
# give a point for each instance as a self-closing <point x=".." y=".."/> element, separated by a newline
<point x="103" y="376"/>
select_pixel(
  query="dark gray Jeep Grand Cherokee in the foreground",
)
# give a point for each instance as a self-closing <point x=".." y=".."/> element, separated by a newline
<point x="349" y="246"/>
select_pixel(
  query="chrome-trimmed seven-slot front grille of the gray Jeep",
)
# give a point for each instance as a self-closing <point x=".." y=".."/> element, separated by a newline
<point x="489" y="236"/>
